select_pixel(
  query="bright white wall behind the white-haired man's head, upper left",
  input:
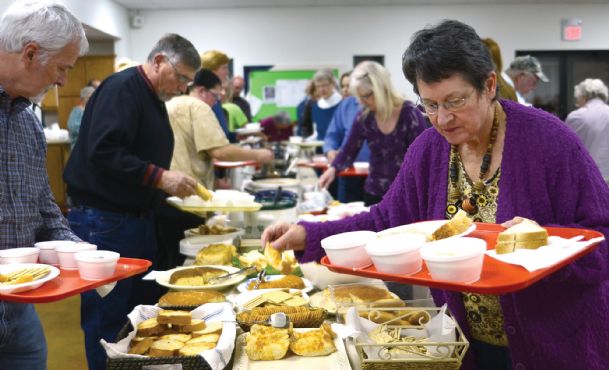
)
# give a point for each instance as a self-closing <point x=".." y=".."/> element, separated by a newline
<point x="104" y="15"/>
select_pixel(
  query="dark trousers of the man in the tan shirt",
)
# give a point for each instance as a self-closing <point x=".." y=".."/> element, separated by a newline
<point x="170" y="226"/>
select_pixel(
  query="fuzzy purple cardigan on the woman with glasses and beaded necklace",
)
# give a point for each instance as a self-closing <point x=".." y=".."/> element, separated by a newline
<point x="562" y="321"/>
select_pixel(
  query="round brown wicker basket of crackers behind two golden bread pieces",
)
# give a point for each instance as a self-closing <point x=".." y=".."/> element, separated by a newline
<point x="300" y="317"/>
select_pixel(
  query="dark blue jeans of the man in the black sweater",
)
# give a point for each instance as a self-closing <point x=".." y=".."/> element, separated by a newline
<point x="132" y="236"/>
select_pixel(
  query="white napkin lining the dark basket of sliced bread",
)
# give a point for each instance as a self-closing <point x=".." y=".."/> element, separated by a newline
<point x="217" y="358"/>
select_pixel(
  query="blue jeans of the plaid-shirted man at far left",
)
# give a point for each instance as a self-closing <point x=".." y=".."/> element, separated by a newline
<point x="22" y="342"/>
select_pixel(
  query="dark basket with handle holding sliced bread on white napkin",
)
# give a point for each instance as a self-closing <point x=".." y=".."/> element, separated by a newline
<point x="188" y="362"/>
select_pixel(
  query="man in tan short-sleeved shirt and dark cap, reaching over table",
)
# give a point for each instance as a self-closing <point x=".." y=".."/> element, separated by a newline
<point x="199" y="140"/>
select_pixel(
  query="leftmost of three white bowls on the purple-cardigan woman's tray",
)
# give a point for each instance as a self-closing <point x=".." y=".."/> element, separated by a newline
<point x="349" y="249"/>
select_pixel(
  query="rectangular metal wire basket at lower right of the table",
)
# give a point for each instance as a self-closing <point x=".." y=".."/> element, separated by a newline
<point x="447" y="355"/>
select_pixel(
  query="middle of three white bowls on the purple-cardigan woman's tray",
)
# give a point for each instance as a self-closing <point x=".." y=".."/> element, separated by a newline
<point x="397" y="253"/>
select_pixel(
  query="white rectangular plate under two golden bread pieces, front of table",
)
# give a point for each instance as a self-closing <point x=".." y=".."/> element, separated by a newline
<point x="334" y="361"/>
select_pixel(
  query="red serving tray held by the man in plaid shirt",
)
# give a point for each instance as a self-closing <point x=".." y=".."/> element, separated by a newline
<point x="69" y="283"/>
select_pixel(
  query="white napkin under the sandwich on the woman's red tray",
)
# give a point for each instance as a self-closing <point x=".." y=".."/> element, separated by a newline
<point x="558" y="249"/>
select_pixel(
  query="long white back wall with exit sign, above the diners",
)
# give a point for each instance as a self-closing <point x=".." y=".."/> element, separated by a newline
<point x="317" y="36"/>
